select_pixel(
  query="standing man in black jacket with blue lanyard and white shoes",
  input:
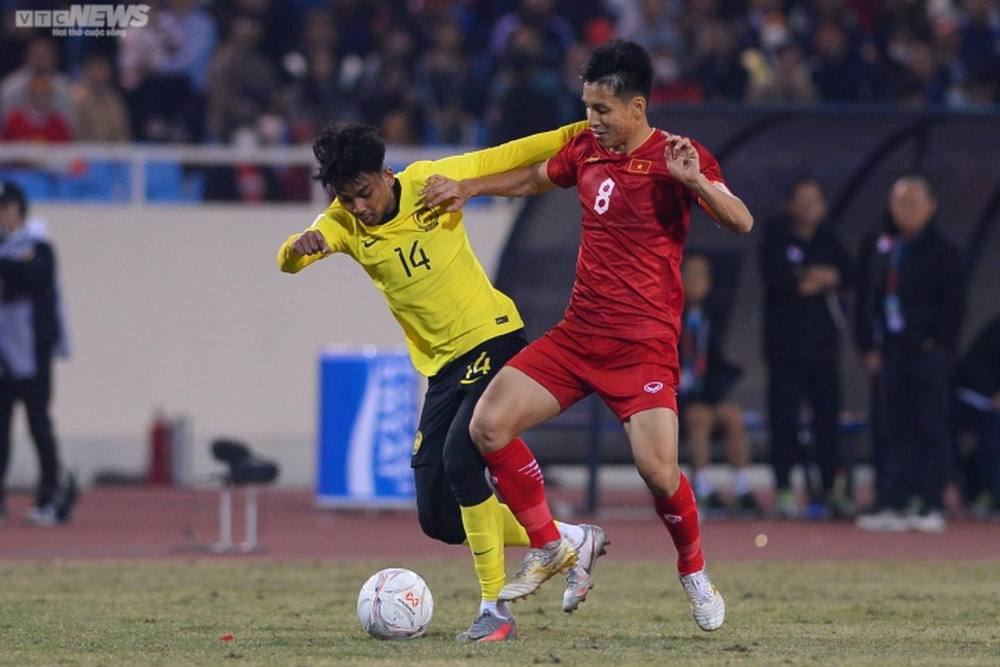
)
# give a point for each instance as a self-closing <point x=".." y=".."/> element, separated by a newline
<point x="911" y="300"/>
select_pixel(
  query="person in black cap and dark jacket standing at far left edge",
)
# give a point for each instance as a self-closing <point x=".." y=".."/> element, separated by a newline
<point x="31" y="334"/>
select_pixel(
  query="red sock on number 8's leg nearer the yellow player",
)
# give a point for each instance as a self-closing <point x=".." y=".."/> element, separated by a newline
<point x="519" y="480"/>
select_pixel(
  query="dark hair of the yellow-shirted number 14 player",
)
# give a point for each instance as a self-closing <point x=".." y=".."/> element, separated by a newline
<point x="345" y="152"/>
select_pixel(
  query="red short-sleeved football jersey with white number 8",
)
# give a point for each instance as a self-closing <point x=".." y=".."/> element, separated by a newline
<point x="635" y="222"/>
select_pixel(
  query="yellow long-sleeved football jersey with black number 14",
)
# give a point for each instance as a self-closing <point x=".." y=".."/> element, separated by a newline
<point x="422" y="261"/>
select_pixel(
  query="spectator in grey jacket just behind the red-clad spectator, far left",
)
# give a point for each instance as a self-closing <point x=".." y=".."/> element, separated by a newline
<point x="40" y="58"/>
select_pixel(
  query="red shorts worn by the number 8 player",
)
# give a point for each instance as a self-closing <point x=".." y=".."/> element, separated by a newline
<point x="629" y="375"/>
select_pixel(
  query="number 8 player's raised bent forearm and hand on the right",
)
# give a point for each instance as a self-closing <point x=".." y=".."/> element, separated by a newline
<point x="723" y="206"/>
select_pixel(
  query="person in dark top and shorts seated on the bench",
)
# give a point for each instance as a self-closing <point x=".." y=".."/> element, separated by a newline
<point x="702" y="395"/>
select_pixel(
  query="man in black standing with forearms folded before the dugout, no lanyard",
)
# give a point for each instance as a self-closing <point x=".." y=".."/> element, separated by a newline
<point x="805" y="267"/>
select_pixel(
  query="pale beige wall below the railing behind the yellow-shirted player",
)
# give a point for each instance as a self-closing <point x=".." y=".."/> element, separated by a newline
<point x="183" y="309"/>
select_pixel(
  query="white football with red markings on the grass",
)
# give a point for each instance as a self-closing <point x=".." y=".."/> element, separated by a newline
<point x="395" y="603"/>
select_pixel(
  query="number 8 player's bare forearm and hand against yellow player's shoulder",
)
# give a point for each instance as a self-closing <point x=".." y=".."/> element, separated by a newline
<point x="521" y="182"/>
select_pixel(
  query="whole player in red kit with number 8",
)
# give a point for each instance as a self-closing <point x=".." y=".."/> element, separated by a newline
<point x="619" y="335"/>
